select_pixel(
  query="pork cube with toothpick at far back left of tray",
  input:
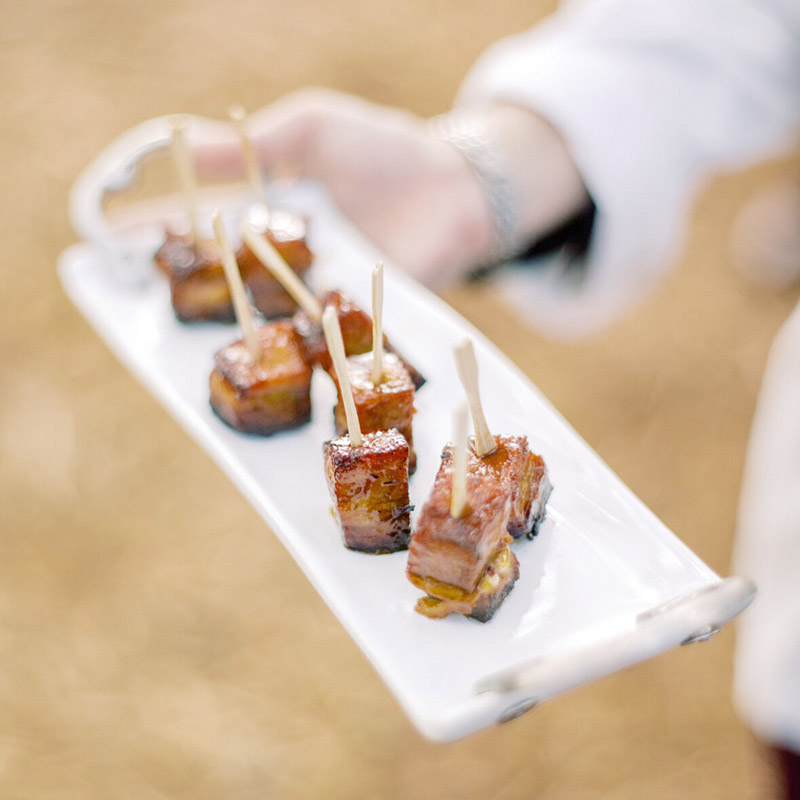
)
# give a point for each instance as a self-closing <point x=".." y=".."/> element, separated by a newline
<point x="192" y="263"/>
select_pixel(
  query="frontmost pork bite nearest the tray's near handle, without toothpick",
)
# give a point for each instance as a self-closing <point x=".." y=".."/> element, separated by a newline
<point x="463" y="564"/>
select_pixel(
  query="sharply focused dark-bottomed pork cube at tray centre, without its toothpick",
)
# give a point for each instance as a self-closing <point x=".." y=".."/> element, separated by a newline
<point x="369" y="489"/>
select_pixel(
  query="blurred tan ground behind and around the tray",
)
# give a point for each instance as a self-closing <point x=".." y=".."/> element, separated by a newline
<point x="156" y="641"/>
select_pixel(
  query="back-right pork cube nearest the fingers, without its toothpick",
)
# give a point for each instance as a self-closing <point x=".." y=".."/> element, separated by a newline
<point x="287" y="234"/>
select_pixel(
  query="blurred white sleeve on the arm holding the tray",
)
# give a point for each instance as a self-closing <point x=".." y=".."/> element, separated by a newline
<point x="650" y="97"/>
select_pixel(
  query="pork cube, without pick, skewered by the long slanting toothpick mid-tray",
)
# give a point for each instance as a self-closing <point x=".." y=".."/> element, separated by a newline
<point x="356" y="327"/>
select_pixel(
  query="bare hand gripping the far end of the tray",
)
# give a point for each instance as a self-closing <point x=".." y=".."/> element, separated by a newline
<point x="414" y="196"/>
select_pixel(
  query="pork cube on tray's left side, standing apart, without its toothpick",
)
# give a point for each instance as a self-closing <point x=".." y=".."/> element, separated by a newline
<point x="270" y="395"/>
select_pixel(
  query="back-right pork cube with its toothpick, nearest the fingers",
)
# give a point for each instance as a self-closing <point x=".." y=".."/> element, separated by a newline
<point x="284" y="231"/>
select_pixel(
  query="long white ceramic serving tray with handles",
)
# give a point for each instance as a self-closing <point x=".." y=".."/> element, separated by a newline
<point x="605" y="584"/>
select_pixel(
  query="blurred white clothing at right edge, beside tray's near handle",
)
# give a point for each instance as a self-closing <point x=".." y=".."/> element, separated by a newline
<point x="767" y="674"/>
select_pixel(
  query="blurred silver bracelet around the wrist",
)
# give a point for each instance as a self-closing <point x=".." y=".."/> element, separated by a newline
<point x="466" y="130"/>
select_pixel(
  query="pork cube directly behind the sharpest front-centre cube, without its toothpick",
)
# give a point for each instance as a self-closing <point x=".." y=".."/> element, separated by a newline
<point x="390" y="404"/>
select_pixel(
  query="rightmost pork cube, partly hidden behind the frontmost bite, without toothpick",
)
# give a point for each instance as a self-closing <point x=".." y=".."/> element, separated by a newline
<point x="522" y="474"/>
